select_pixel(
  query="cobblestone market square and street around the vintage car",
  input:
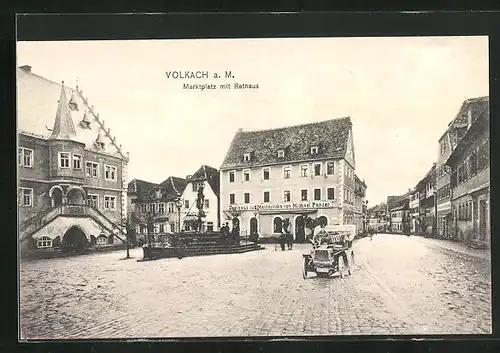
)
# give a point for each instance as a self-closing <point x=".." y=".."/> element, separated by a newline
<point x="401" y="285"/>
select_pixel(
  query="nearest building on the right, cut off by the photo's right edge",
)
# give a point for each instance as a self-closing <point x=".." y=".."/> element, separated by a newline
<point x="470" y="179"/>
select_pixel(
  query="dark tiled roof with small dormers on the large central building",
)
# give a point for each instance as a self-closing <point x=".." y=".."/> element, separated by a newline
<point x="331" y="136"/>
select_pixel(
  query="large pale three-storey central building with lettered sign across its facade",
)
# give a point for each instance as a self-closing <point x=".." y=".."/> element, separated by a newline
<point x="289" y="173"/>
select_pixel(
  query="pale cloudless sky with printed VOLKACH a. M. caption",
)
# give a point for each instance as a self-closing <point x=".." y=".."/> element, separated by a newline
<point x="400" y="93"/>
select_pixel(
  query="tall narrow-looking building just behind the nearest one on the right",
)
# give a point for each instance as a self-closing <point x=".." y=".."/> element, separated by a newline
<point x="447" y="143"/>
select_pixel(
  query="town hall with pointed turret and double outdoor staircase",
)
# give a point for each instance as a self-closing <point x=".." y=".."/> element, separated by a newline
<point x="72" y="173"/>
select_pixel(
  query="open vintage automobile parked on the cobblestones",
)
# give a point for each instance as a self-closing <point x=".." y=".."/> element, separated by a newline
<point x="332" y="253"/>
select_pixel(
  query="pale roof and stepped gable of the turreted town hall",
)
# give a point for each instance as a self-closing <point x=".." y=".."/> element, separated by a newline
<point x="38" y="106"/>
